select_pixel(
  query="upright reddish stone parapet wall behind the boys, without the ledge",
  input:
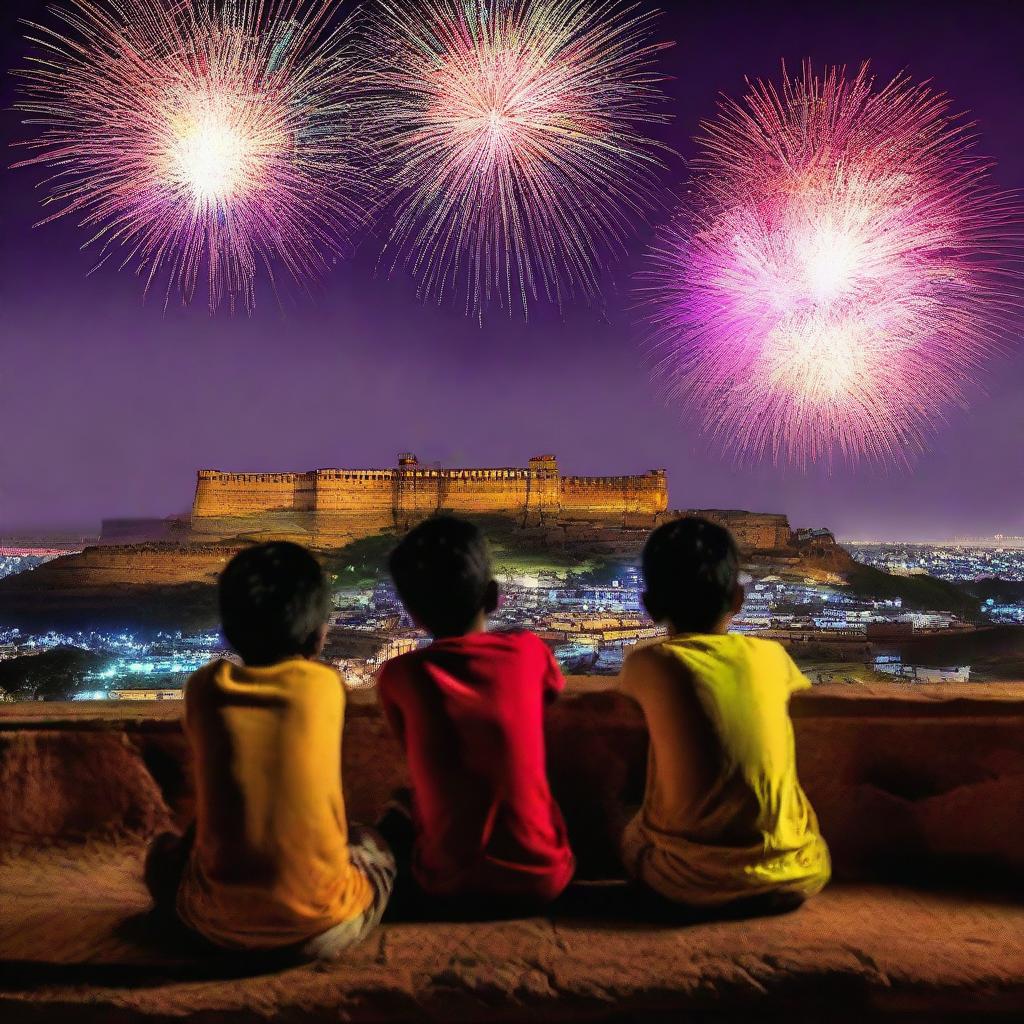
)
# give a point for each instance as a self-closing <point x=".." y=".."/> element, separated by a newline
<point x="909" y="782"/>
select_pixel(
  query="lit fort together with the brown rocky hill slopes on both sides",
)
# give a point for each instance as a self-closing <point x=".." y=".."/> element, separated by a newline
<point x="179" y="559"/>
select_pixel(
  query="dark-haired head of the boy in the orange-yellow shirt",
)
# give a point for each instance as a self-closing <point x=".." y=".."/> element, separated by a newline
<point x="274" y="601"/>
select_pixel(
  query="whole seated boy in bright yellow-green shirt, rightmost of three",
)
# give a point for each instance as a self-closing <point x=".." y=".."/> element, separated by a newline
<point x="724" y="824"/>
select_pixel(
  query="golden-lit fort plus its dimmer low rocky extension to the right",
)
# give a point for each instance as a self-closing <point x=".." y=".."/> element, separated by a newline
<point x="332" y="506"/>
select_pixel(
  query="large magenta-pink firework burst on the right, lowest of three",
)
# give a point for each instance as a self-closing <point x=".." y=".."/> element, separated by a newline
<point x="839" y="275"/>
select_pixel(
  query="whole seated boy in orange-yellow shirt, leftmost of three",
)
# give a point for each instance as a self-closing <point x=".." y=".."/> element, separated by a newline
<point x="272" y="863"/>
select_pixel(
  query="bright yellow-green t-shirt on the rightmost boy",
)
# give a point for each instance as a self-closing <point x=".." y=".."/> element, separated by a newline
<point x="724" y="817"/>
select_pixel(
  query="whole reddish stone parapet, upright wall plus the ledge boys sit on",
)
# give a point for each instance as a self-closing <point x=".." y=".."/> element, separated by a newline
<point x="920" y="792"/>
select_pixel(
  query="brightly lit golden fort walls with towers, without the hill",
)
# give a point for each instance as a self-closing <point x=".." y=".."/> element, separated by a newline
<point x="412" y="491"/>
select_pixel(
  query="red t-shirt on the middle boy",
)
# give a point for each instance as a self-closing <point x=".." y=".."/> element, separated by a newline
<point x="471" y="714"/>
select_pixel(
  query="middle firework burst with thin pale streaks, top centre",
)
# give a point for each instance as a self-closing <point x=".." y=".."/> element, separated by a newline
<point x="516" y="136"/>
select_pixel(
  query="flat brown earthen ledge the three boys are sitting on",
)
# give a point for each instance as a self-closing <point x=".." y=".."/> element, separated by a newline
<point x="75" y="944"/>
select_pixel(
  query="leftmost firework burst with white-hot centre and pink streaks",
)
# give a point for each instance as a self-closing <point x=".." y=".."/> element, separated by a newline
<point x="192" y="135"/>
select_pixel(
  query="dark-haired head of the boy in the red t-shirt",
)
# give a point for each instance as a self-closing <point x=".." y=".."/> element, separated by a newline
<point x="442" y="571"/>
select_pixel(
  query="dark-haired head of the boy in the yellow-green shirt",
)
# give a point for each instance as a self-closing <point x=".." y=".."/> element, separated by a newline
<point x="692" y="571"/>
